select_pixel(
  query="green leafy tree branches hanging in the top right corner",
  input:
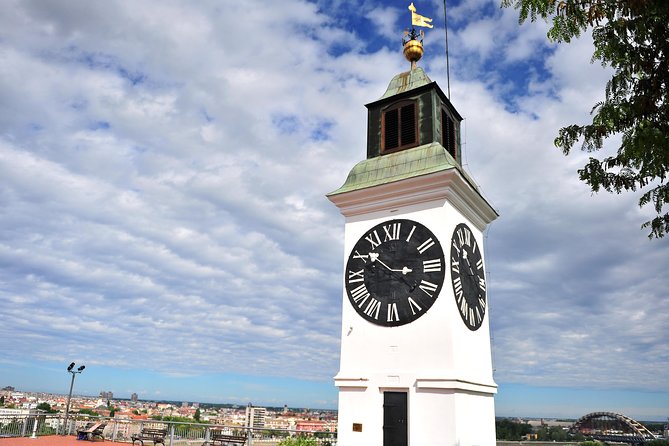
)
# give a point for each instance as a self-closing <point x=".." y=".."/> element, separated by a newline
<point x="632" y="37"/>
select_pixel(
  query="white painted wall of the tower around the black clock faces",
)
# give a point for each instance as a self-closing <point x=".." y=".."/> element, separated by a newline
<point x="445" y="368"/>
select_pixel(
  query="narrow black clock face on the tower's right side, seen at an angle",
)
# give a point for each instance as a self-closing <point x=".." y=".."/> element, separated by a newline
<point x="468" y="277"/>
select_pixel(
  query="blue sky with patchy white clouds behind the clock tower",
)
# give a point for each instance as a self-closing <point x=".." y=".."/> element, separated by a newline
<point x="163" y="220"/>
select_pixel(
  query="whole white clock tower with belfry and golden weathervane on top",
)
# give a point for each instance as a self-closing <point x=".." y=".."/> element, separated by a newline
<point x="416" y="366"/>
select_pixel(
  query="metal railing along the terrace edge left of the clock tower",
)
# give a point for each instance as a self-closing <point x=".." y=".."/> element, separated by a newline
<point x="178" y="433"/>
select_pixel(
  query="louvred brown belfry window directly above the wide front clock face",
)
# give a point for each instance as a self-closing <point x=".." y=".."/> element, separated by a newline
<point x="399" y="127"/>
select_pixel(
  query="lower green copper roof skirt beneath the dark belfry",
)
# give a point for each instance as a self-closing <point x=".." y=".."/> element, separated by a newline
<point x="421" y="160"/>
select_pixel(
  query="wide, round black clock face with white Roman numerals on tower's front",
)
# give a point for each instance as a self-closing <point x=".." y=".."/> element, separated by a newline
<point x="395" y="272"/>
